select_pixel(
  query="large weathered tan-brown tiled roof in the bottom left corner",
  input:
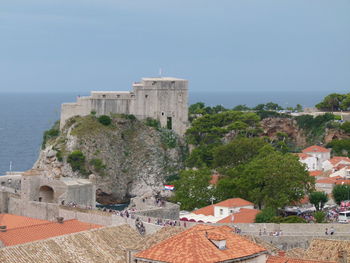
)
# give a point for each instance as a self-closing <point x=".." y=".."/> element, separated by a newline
<point x="108" y="244"/>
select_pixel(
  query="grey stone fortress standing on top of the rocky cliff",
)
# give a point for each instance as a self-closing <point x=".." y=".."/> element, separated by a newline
<point x="164" y="99"/>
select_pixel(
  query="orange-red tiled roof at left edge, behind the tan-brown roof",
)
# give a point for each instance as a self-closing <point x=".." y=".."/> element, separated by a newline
<point x="26" y="232"/>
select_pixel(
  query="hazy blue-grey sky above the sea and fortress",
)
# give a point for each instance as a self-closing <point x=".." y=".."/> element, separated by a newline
<point x="218" y="45"/>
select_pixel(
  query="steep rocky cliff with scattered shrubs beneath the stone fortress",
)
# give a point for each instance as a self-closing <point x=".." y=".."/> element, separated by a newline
<point x="127" y="157"/>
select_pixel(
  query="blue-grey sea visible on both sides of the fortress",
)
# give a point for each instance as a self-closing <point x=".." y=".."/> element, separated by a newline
<point x="25" y="116"/>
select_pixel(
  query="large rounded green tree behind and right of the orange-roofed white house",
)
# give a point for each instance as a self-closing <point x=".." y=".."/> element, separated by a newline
<point x="273" y="179"/>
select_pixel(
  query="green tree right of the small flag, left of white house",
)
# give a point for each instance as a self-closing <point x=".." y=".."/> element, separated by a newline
<point x="193" y="189"/>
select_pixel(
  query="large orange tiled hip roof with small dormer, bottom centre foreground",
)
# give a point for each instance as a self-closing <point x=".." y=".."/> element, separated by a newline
<point x="193" y="246"/>
